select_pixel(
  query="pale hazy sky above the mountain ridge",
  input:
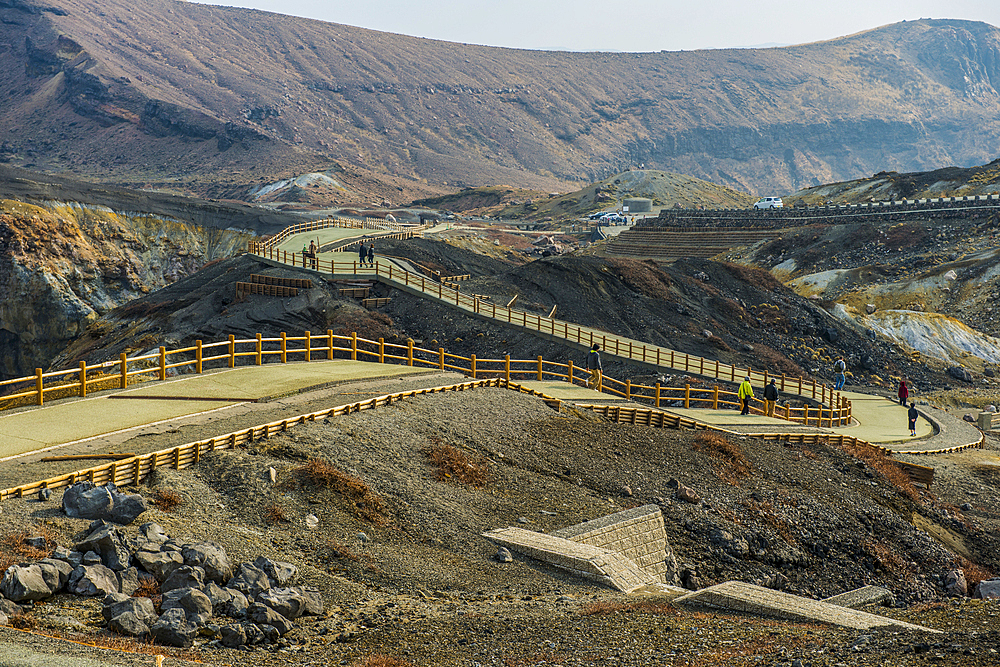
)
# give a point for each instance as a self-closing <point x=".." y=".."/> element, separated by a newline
<point x="630" y="25"/>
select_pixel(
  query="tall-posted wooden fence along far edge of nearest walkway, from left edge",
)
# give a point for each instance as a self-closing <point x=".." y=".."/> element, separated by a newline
<point x="310" y="347"/>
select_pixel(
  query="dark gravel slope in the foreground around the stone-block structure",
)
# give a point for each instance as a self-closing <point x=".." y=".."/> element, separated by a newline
<point x="419" y="583"/>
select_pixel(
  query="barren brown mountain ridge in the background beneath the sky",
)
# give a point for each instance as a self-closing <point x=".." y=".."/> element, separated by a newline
<point x="217" y="99"/>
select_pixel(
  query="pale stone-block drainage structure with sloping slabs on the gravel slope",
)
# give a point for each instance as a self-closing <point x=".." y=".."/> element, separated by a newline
<point x="629" y="551"/>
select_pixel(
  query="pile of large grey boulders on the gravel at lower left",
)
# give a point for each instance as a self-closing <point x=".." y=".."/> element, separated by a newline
<point x="197" y="581"/>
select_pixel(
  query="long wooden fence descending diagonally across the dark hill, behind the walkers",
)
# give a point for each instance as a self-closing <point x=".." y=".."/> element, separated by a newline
<point x="611" y="344"/>
